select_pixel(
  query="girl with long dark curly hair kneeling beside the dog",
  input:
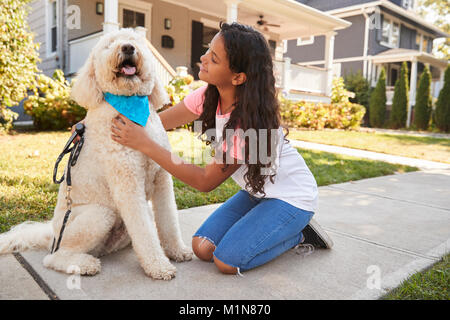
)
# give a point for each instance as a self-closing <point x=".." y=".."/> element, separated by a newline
<point x="272" y="213"/>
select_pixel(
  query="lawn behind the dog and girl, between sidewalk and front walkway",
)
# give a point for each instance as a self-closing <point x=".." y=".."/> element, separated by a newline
<point x="27" y="191"/>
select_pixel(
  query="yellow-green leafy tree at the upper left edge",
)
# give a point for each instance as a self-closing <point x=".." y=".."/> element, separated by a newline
<point x="18" y="58"/>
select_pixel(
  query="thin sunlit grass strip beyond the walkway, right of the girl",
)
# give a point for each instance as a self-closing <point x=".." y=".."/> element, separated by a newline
<point x="427" y="148"/>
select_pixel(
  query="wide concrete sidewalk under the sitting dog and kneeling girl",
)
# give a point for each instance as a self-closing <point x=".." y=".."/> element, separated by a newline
<point x="390" y="226"/>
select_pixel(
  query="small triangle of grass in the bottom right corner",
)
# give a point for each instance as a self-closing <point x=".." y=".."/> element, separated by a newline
<point x="429" y="284"/>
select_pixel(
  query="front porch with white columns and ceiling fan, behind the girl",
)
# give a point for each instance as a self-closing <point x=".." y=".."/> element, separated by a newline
<point x="191" y="24"/>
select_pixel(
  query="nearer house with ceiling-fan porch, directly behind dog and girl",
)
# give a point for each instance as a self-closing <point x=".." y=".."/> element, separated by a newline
<point x="180" y="32"/>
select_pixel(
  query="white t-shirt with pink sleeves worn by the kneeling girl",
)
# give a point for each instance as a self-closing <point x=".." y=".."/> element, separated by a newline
<point x="293" y="182"/>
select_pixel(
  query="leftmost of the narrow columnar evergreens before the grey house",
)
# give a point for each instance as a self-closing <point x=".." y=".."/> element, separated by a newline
<point x="377" y="102"/>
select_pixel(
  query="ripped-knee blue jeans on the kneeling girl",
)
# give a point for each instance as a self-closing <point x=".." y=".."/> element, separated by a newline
<point x="249" y="232"/>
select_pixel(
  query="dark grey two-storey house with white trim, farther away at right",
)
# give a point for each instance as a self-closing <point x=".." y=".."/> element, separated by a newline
<point x="383" y="34"/>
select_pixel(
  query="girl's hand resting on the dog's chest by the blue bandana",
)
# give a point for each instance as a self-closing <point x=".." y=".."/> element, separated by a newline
<point x="128" y="133"/>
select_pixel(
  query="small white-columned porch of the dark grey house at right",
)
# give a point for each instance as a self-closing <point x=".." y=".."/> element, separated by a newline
<point x="392" y="59"/>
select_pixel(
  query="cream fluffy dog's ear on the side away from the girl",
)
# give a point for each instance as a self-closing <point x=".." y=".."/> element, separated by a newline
<point x="85" y="90"/>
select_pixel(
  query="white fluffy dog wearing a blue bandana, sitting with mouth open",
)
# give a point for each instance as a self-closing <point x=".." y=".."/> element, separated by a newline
<point x="112" y="183"/>
